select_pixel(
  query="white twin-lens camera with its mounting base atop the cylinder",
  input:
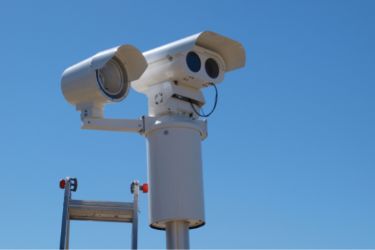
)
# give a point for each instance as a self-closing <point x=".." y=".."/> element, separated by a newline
<point x="177" y="71"/>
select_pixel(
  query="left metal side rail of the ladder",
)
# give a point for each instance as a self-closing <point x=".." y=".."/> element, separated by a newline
<point x="64" y="238"/>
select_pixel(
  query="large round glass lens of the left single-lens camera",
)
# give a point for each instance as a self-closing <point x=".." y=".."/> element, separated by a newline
<point x="112" y="79"/>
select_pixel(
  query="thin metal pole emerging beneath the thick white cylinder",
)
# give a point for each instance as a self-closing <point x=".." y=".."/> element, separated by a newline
<point x="177" y="235"/>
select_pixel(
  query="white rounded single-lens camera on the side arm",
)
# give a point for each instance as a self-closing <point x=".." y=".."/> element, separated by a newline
<point x="102" y="78"/>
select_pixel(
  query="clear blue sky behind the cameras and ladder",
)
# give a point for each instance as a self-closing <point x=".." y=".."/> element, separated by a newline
<point x="290" y="157"/>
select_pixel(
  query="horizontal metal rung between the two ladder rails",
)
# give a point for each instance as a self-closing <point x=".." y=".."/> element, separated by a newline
<point x="101" y="211"/>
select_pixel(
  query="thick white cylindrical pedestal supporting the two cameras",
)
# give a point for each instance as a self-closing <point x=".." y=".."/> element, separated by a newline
<point x="175" y="174"/>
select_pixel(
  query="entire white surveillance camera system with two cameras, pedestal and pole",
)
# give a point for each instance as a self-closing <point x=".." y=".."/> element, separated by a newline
<point x="173" y="81"/>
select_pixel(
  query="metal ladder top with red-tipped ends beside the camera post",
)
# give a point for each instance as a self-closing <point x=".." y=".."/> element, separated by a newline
<point x="98" y="210"/>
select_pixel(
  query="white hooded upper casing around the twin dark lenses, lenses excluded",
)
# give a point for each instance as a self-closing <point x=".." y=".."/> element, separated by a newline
<point x="167" y="63"/>
